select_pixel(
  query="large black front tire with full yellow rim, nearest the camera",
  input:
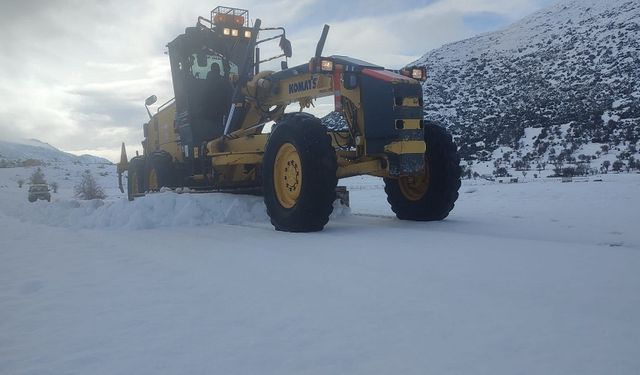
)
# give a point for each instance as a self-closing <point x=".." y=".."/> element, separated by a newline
<point x="299" y="149"/>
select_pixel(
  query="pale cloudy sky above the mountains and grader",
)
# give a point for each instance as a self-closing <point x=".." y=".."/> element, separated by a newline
<point x="75" y="73"/>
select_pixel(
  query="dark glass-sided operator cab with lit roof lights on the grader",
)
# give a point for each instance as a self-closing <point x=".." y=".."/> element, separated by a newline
<point x="205" y="64"/>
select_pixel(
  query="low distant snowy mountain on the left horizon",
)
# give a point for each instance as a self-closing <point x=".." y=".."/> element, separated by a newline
<point x="37" y="150"/>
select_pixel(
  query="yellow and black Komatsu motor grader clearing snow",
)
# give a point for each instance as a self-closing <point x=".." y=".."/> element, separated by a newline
<point x="214" y="134"/>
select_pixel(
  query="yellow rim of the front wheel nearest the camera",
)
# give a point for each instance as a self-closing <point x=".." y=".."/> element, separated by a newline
<point x="287" y="175"/>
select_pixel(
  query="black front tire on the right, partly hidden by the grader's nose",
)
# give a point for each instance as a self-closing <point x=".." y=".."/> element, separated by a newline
<point x="431" y="196"/>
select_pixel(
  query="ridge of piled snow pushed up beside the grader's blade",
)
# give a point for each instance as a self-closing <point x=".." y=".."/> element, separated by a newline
<point x="165" y="209"/>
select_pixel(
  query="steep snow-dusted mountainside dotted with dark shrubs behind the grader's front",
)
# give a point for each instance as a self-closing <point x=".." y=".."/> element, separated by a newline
<point x="560" y="86"/>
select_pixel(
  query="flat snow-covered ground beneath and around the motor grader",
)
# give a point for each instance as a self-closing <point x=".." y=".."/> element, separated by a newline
<point x="534" y="278"/>
